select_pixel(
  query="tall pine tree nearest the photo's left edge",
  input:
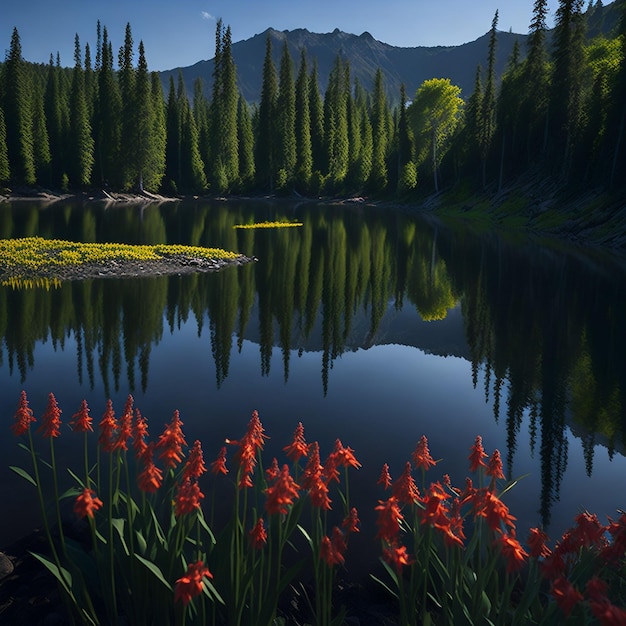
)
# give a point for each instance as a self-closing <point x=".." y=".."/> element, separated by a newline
<point x="18" y="115"/>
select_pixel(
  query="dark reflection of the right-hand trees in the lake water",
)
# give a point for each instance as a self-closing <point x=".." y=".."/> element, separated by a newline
<point x="529" y="323"/>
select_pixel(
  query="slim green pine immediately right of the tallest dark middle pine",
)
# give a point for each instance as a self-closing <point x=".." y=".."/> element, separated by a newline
<point x="286" y="119"/>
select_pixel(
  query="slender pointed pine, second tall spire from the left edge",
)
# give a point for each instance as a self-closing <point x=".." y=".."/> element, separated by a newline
<point x="81" y="141"/>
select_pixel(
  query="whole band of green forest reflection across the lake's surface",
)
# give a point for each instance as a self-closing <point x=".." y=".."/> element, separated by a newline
<point x="544" y="326"/>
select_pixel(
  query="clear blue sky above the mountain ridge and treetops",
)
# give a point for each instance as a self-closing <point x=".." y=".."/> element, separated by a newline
<point x="182" y="32"/>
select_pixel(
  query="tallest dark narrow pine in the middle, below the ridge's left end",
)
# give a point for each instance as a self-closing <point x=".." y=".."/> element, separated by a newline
<point x="265" y="154"/>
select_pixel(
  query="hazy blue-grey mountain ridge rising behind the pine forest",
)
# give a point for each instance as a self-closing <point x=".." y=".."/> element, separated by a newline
<point x="410" y="66"/>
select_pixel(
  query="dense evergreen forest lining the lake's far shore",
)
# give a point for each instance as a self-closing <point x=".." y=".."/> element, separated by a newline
<point x="559" y="109"/>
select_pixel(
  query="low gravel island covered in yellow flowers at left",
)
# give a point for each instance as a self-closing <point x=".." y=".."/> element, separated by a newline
<point x="53" y="260"/>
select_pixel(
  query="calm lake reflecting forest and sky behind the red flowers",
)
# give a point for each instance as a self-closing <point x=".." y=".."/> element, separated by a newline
<point x="365" y="324"/>
